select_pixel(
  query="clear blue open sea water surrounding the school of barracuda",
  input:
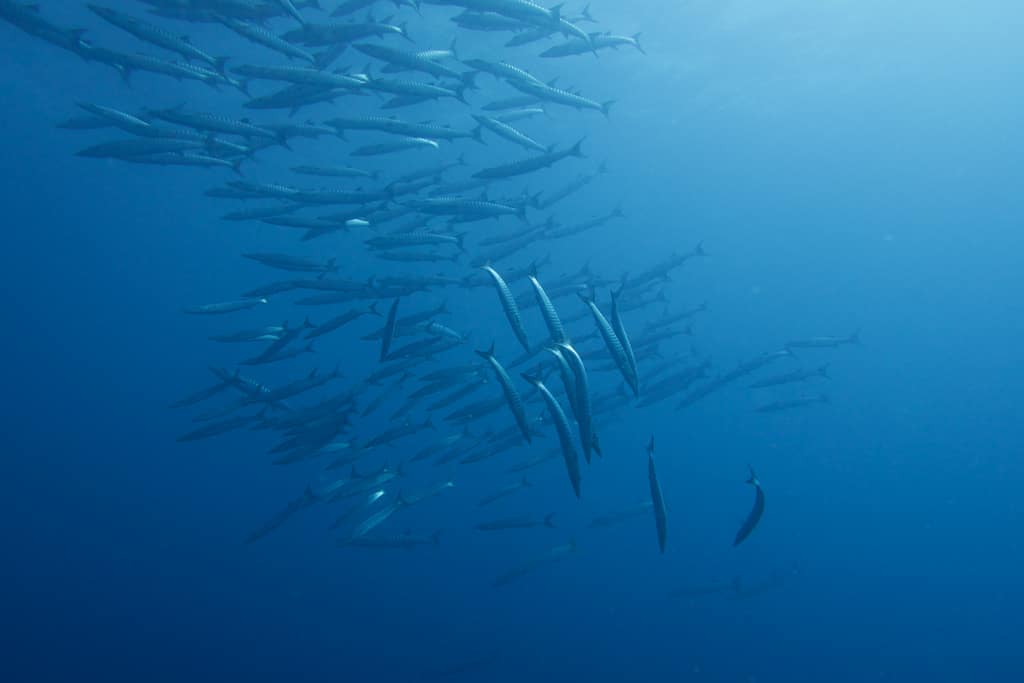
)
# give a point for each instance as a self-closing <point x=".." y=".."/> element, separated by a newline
<point x="847" y="166"/>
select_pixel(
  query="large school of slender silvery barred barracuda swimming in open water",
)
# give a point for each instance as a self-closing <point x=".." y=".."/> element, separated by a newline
<point x="569" y="363"/>
